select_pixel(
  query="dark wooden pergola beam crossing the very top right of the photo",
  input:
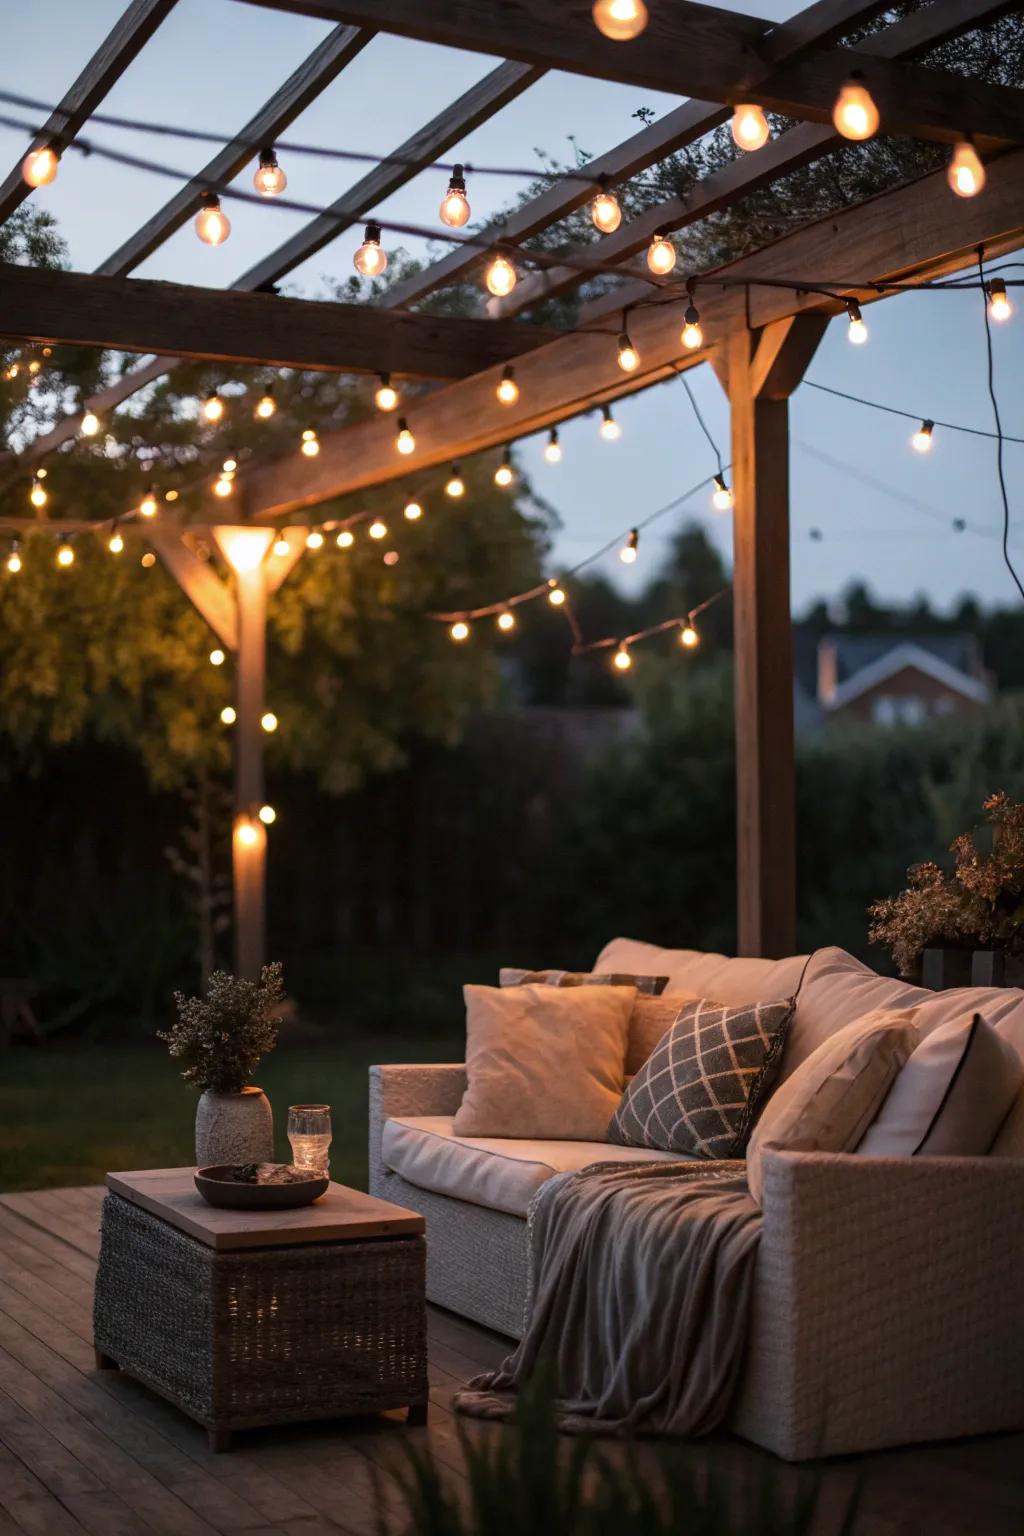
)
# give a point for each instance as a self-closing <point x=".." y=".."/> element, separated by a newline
<point x="693" y="50"/>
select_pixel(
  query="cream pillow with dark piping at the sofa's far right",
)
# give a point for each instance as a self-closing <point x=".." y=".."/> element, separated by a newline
<point x="951" y="1097"/>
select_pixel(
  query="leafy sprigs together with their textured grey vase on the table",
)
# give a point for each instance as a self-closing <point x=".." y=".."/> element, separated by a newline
<point x="222" y="1039"/>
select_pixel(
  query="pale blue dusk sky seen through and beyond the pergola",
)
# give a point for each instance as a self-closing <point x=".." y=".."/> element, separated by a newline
<point x="884" y="511"/>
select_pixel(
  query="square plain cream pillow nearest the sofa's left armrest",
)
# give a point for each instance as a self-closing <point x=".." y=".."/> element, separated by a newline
<point x="544" y="1062"/>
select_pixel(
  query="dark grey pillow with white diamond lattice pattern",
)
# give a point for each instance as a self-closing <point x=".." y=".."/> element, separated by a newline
<point x="705" y="1081"/>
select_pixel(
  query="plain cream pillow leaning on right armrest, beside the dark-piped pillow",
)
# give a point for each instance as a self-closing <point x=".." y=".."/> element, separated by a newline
<point x="834" y="1096"/>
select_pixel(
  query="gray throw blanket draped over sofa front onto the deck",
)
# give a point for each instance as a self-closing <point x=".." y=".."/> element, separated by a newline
<point x="641" y="1280"/>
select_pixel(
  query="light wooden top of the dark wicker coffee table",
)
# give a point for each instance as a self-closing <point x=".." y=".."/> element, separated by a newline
<point x="340" y="1216"/>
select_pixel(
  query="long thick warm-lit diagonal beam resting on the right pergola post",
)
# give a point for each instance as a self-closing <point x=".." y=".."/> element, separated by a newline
<point x="905" y="236"/>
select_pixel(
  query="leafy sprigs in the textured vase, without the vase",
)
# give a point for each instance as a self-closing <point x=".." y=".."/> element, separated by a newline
<point x="223" y="1036"/>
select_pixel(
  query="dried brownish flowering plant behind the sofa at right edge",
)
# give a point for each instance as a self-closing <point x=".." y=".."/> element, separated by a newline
<point x="979" y="907"/>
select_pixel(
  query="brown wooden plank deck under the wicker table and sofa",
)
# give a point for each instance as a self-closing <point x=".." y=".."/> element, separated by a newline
<point x="88" y="1452"/>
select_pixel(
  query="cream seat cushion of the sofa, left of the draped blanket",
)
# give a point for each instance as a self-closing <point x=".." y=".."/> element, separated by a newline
<point x="492" y="1171"/>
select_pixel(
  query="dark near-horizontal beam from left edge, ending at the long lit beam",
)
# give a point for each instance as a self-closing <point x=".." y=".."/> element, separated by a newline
<point x="137" y="316"/>
